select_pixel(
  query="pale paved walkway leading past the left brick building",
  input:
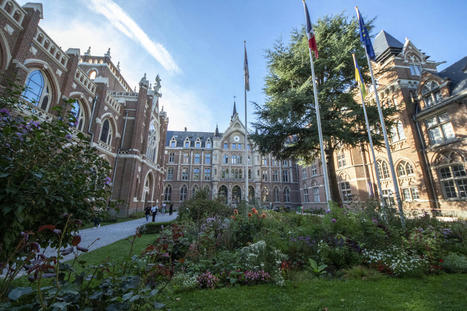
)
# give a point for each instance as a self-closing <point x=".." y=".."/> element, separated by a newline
<point x="94" y="238"/>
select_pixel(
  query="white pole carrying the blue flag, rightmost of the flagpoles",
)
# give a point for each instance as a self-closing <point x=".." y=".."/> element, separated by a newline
<point x="386" y="142"/>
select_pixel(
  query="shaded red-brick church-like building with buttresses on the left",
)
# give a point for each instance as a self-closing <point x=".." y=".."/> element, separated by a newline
<point x="125" y="126"/>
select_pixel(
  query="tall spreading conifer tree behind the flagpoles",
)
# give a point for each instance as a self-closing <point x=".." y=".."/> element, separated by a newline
<point x="286" y="125"/>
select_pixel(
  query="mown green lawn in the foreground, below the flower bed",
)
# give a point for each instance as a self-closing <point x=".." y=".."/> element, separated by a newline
<point x="439" y="292"/>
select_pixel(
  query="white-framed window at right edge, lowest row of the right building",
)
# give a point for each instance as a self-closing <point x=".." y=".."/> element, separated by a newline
<point x="453" y="181"/>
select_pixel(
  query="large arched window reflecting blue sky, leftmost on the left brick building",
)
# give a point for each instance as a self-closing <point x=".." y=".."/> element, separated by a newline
<point x="37" y="90"/>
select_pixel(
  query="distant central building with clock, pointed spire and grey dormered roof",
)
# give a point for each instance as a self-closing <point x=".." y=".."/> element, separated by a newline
<point x="216" y="162"/>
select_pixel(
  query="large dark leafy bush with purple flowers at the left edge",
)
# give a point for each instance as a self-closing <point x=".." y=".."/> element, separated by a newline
<point x="46" y="173"/>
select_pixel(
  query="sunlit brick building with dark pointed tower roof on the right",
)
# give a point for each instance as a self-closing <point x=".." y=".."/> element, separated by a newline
<point x="428" y="142"/>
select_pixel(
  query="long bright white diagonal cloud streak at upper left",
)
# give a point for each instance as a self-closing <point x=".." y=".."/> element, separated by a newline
<point x="124" y="23"/>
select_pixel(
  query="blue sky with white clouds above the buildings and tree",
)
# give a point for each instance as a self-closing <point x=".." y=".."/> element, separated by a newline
<point x="197" y="45"/>
